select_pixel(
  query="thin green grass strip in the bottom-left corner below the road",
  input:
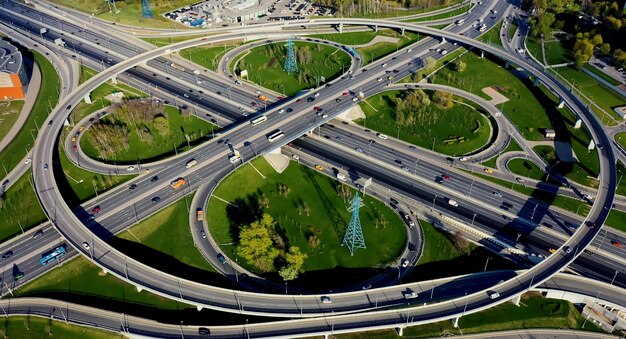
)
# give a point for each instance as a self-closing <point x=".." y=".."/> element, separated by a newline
<point x="31" y="327"/>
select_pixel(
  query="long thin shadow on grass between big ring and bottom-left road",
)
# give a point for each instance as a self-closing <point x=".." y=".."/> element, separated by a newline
<point x="189" y="315"/>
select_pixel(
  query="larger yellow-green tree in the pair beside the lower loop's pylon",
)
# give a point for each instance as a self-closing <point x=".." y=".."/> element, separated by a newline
<point x="255" y="243"/>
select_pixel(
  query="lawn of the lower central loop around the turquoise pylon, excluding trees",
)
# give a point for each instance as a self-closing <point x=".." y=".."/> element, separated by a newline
<point x="327" y="220"/>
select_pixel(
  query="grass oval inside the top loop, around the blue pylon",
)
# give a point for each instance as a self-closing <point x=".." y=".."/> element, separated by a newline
<point x="265" y="66"/>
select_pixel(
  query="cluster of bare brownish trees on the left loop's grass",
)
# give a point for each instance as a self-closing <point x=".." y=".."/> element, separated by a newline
<point x="110" y="135"/>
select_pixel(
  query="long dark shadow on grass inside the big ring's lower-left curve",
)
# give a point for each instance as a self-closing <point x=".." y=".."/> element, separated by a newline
<point x="166" y="263"/>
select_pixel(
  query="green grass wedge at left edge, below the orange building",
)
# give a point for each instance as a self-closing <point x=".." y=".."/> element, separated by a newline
<point x="20" y="209"/>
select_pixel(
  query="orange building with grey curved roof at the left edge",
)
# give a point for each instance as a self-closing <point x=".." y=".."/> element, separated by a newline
<point x="13" y="78"/>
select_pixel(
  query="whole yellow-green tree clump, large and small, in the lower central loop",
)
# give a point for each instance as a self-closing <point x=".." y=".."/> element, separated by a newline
<point x="262" y="246"/>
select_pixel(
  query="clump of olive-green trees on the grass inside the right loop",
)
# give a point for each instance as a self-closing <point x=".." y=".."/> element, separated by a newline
<point x="412" y="107"/>
